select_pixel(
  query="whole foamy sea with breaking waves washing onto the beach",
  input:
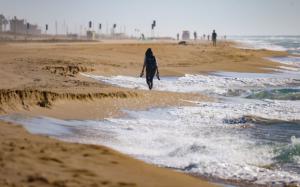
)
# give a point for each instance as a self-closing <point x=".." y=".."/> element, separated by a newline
<point x="248" y="136"/>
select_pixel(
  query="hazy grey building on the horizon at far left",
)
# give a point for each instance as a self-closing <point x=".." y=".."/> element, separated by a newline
<point x="19" y="26"/>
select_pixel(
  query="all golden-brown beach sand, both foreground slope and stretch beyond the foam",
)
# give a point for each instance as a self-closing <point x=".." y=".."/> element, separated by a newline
<point x="43" y="79"/>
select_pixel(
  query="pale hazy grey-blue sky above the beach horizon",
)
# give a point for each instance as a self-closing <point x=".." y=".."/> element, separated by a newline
<point x="231" y="17"/>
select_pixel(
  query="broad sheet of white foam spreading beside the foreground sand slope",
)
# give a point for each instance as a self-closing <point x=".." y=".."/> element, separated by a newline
<point x="193" y="138"/>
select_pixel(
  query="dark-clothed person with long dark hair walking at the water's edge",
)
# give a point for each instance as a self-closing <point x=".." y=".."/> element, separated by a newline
<point x="151" y="68"/>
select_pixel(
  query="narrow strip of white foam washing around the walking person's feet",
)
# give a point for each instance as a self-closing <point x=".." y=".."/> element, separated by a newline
<point x="220" y="83"/>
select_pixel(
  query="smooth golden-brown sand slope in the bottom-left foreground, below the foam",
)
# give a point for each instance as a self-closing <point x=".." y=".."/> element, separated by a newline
<point x="89" y="165"/>
